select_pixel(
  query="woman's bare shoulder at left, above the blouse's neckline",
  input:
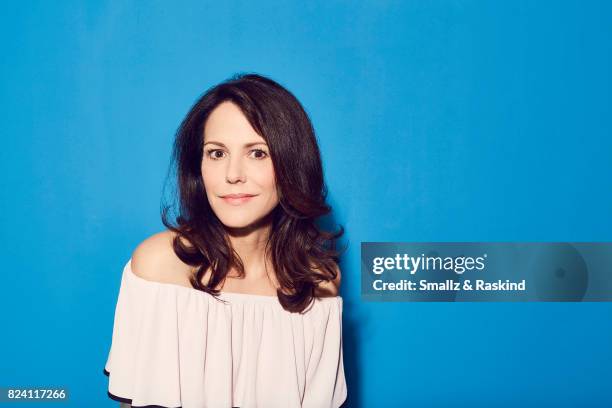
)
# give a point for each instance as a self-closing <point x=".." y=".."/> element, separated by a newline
<point x="154" y="259"/>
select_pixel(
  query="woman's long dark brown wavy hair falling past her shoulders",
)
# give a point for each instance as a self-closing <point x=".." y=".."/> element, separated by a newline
<point x="303" y="255"/>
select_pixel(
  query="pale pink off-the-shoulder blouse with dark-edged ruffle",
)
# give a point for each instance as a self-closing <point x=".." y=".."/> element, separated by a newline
<point x="174" y="346"/>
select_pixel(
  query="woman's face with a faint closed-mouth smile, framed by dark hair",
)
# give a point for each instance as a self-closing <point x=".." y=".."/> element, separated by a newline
<point x="236" y="161"/>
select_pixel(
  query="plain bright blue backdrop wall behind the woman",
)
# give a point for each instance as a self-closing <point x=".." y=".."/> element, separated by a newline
<point x="438" y="121"/>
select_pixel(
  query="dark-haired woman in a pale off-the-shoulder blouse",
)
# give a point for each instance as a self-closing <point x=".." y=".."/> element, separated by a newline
<point x="236" y="304"/>
